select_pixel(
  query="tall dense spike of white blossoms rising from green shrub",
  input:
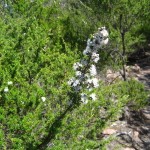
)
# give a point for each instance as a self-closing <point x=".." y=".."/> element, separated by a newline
<point x="85" y="70"/>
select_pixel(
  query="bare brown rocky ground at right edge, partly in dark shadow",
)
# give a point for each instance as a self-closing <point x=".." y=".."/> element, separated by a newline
<point x="133" y="131"/>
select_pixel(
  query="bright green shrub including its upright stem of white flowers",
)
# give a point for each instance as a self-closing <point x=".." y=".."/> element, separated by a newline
<point x="38" y="109"/>
